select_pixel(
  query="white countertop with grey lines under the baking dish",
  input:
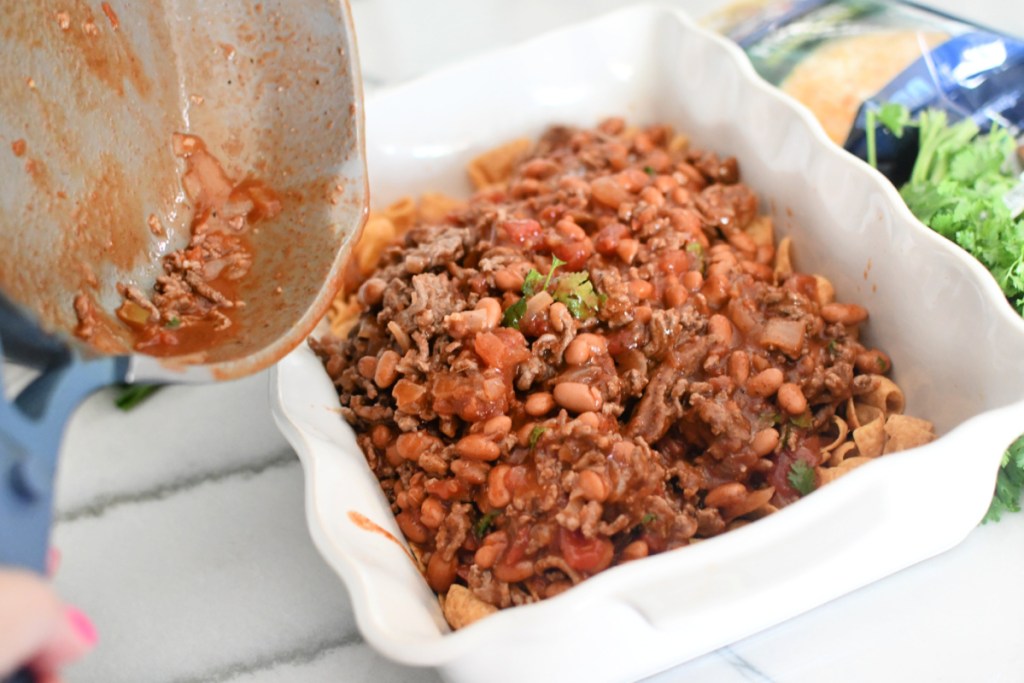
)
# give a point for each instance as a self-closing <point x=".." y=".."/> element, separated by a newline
<point x="183" y="531"/>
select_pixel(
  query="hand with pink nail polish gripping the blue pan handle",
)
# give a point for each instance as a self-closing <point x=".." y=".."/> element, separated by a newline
<point x="37" y="630"/>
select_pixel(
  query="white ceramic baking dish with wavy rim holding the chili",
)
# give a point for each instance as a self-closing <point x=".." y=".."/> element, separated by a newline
<point x="958" y="351"/>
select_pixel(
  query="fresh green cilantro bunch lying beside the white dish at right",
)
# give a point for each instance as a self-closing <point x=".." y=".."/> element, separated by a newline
<point x="965" y="186"/>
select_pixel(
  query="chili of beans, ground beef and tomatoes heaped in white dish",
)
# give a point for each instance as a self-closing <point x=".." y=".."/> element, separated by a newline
<point x="603" y="358"/>
